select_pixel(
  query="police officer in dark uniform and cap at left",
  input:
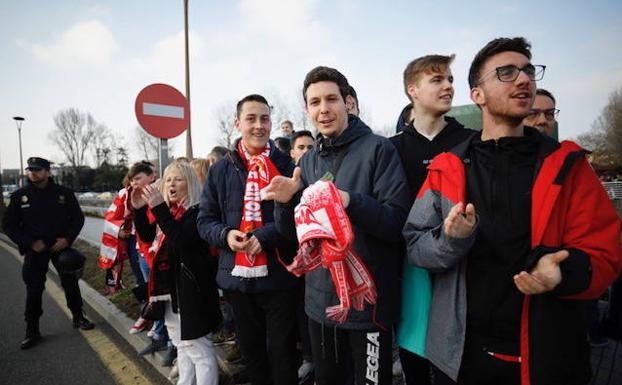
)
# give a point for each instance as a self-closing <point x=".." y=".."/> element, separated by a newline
<point x="44" y="219"/>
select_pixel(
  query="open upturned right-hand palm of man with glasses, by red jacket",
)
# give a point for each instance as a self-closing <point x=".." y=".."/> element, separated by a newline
<point x="544" y="277"/>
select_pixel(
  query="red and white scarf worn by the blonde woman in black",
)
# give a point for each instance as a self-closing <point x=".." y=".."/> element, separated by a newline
<point x="159" y="282"/>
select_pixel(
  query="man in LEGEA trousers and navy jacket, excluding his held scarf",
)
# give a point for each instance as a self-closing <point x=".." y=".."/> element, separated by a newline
<point x="368" y="173"/>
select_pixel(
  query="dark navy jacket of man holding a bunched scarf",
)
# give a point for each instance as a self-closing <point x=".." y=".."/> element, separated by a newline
<point x="368" y="167"/>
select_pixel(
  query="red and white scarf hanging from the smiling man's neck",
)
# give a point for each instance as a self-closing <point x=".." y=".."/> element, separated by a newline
<point x="261" y="170"/>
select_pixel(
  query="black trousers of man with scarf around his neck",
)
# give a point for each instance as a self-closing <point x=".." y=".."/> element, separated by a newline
<point x="266" y="332"/>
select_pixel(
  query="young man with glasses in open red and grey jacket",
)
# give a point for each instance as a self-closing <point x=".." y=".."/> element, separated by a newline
<point x="516" y="231"/>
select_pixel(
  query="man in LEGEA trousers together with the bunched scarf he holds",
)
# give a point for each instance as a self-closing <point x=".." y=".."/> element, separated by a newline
<point x="351" y="280"/>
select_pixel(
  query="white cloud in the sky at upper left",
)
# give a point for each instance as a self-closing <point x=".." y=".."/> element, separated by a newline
<point x="88" y="42"/>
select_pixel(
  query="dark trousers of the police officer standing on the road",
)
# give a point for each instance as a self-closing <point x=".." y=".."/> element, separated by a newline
<point x="34" y="270"/>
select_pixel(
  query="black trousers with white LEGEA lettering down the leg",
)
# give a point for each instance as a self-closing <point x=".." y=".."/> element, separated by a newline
<point x="339" y="353"/>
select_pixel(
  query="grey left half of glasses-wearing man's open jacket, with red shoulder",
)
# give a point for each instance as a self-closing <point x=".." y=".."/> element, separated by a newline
<point x="430" y="248"/>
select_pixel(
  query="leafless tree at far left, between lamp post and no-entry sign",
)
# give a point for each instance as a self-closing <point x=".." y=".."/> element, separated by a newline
<point x="73" y="134"/>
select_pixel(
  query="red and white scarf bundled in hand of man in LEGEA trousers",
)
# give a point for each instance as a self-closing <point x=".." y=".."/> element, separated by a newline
<point x="325" y="237"/>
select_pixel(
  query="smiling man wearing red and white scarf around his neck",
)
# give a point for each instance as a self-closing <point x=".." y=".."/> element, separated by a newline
<point x="251" y="265"/>
